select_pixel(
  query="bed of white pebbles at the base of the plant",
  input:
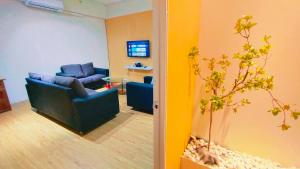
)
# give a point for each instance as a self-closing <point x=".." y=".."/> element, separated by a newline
<point x="223" y="158"/>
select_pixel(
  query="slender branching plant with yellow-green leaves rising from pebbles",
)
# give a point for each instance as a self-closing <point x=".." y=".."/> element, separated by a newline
<point x="251" y="75"/>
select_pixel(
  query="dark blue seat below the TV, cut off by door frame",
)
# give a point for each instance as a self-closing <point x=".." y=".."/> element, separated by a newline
<point x="140" y="95"/>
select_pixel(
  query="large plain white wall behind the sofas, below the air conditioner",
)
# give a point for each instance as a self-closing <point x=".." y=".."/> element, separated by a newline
<point x="33" y="40"/>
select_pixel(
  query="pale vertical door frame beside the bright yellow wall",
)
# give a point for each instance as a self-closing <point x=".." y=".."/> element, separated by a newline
<point x="160" y="71"/>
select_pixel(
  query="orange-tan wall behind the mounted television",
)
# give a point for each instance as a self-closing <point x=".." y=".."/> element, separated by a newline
<point x="121" y="29"/>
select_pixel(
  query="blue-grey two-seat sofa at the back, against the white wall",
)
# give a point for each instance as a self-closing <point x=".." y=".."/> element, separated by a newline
<point x="87" y="74"/>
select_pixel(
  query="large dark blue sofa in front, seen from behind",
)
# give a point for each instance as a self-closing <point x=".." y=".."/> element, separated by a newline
<point x="63" y="104"/>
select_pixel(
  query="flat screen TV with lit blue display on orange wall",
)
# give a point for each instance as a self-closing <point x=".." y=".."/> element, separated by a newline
<point x="139" y="48"/>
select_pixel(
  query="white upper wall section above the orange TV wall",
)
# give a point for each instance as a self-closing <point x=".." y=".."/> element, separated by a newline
<point x="128" y="7"/>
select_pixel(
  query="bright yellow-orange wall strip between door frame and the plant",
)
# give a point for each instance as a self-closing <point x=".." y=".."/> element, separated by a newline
<point x="183" y="33"/>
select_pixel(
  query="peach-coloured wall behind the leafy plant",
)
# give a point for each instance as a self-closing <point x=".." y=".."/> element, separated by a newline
<point x="253" y="130"/>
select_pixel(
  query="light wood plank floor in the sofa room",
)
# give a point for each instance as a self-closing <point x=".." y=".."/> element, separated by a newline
<point x="31" y="141"/>
